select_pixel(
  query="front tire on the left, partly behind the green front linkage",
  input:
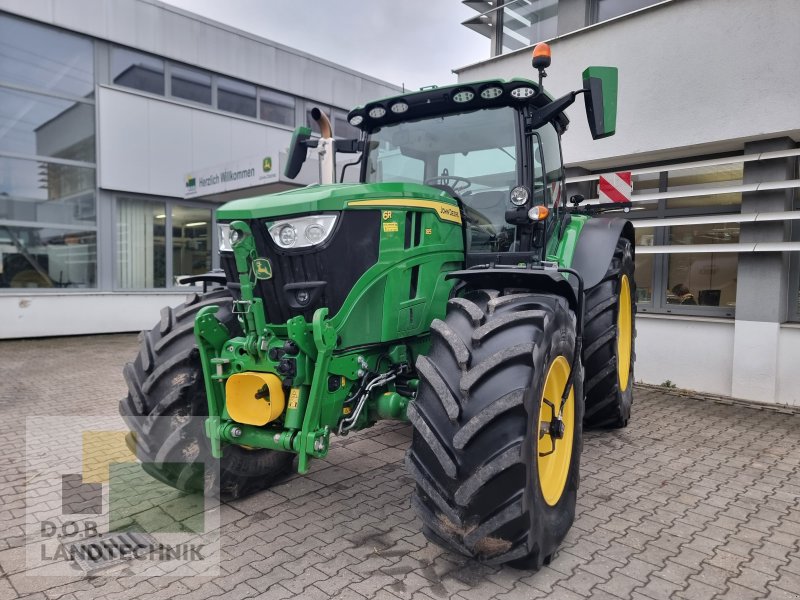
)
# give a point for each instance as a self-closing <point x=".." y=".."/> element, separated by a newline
<point x="166" y="381"/>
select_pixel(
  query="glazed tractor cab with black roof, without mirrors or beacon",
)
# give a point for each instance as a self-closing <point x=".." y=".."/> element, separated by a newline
<point x="475" y="147"/>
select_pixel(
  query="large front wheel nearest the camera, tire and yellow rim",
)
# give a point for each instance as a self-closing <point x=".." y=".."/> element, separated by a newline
<point x="488" y="485"/>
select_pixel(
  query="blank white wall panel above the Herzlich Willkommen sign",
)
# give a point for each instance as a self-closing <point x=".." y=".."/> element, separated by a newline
<point x="147" y="145"/>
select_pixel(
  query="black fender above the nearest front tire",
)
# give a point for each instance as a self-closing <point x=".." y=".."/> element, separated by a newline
<point x="536" y="280"/>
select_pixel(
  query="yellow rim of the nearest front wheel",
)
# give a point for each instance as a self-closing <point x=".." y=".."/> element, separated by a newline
<point x="555" y="442"/>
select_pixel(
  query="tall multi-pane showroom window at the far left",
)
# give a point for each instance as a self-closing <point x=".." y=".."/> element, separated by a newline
<point x="48" y="222"/>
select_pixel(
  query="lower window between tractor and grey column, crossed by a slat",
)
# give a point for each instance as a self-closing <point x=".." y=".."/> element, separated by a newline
<point x="707" y="278"/>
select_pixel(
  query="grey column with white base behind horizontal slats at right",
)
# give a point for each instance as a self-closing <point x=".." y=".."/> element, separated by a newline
<point x="762" y="289"/>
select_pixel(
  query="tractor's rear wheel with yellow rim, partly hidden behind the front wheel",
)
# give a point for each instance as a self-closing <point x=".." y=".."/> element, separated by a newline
<point x="608" y="343"/>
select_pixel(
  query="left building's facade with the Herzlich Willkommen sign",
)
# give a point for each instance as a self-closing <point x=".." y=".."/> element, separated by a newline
<point x="122" y="126"/>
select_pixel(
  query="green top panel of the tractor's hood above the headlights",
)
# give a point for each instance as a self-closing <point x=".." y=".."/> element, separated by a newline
<point x="318" y="198"/>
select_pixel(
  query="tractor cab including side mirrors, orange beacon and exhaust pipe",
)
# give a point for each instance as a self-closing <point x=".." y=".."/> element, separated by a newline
<point x="493" y="146"/>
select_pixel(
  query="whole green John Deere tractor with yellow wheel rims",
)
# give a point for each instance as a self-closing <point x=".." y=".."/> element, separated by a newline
<point x="452" y="287"/>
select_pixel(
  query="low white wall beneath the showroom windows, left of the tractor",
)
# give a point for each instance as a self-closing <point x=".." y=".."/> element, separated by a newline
<point x="55" y="314"/>
